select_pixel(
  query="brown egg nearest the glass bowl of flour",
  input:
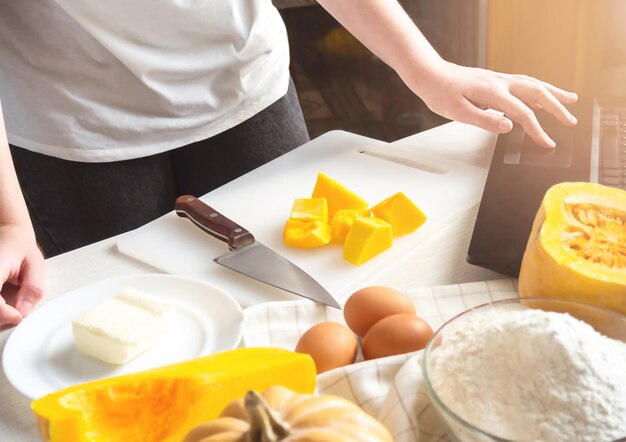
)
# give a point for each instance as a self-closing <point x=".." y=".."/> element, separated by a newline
<point x="396" y="335"/>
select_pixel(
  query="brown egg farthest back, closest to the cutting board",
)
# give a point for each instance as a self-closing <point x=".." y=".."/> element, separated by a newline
<point x="369" y="305"/>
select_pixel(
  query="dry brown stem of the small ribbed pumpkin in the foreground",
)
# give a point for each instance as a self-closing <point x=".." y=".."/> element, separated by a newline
<point x="265" y="424"/>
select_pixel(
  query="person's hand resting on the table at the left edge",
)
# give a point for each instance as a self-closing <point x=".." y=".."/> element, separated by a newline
<point x="21" y="265"/>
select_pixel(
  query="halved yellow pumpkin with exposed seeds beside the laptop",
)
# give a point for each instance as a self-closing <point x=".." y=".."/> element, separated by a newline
<point x="577" y="246"/>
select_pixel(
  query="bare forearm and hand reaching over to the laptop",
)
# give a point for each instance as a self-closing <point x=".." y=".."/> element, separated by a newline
<point x="456" y="92"/>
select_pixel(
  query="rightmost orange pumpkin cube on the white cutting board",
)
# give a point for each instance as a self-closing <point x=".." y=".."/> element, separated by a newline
<point x="402" y="213"/>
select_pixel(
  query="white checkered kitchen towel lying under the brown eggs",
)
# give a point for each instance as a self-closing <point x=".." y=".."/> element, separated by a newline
<point x="390" y="389"/>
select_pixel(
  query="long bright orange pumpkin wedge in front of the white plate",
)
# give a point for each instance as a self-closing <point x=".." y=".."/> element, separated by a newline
<point x="163" y="404"/>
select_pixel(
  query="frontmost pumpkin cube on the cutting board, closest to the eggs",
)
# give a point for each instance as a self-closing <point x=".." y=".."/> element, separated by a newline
<point x="366" y="238"/>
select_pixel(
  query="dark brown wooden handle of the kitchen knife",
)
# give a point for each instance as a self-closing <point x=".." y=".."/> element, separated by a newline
<point x="212" y="222"/>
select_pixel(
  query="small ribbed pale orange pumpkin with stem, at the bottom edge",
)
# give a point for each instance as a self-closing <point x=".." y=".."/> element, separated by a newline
<point x="280" y="414"/>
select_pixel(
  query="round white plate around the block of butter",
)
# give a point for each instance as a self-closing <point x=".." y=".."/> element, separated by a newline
<point x="40" y="356"/>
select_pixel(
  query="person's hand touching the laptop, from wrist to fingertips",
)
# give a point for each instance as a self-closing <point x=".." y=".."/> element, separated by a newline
<point x="465" y="94"/>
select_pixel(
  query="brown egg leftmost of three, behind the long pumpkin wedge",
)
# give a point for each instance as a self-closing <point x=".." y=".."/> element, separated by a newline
<point x="330" y="344"/>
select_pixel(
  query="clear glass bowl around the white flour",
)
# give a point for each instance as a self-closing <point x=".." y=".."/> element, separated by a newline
<point x="605" y="321"/>
